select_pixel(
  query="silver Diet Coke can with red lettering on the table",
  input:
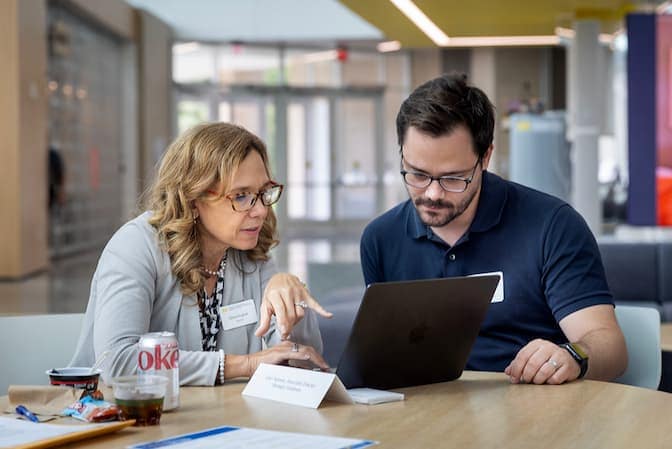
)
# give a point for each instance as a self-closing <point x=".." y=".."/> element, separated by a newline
<point x="159" y="354"/>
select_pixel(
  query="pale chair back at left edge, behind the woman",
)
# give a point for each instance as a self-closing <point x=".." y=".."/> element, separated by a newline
<point x="32" y="344"/>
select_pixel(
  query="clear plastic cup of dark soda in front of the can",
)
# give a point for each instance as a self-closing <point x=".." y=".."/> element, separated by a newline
<point x="140" y="397"/>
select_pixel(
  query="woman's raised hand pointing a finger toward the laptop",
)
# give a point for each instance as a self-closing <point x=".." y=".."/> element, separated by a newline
<point x="286" y="297"/>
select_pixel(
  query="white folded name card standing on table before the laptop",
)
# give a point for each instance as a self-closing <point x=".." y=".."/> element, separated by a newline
<point x="295" y="386"/>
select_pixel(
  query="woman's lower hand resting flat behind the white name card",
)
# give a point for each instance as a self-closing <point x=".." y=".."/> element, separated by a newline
<point x="287" y="352"/>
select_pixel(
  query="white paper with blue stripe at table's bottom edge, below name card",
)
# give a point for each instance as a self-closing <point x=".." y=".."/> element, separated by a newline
<point x="239" y="437"/>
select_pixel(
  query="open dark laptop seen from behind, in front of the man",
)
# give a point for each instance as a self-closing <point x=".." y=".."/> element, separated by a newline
<point x="416" y="332"/>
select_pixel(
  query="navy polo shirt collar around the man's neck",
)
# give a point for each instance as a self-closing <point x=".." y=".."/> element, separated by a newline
<point x="488" y="214"/>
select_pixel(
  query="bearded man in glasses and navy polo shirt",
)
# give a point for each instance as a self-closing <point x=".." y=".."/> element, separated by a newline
<point x="557" y="313"/>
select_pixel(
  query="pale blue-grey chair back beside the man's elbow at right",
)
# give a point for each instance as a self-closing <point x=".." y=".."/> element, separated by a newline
<point x="641" y="328"/>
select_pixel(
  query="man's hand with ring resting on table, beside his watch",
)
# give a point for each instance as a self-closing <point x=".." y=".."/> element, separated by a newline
<point x="542" y="362"/>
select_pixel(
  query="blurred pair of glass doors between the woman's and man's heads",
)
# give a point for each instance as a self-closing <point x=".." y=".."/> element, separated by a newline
<point x="333" y="147"/>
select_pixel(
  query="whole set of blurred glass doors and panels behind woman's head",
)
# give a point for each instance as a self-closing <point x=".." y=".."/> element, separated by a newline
<point x="325" y="145"/>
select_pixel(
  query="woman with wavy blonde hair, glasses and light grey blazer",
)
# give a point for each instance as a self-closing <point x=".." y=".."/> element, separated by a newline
<point x="202" y="244"/>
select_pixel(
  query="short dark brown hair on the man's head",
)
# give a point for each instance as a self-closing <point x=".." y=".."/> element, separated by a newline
<point x="440" y="105"/>
